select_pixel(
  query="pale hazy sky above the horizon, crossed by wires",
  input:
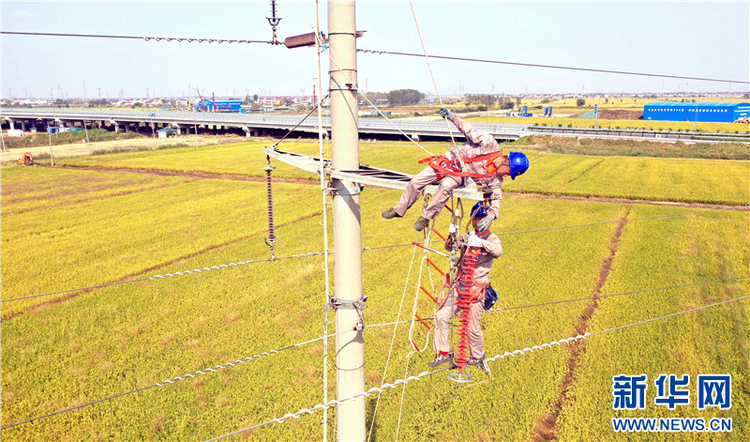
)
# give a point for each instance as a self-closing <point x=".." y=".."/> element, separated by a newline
<point x="697" y="39"/>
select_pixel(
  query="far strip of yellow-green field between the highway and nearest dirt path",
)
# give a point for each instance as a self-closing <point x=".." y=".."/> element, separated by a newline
<point x="665" y="179"/>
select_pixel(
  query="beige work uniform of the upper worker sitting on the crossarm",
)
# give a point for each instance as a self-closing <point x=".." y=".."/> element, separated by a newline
<point x="478" y="143"/>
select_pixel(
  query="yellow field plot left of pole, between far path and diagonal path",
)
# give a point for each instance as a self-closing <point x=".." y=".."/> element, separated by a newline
<point x="46" y="215"/>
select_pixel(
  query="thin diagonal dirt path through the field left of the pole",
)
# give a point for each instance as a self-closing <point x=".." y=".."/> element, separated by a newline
<point x="139" y="275"/>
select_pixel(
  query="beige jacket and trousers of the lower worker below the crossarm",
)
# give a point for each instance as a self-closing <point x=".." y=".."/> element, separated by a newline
<point x="492" y="248"/>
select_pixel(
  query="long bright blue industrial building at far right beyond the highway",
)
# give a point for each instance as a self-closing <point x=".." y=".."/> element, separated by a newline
<point x="706" y="112"/>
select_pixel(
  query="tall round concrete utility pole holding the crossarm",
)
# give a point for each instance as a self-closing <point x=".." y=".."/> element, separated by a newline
<point x="347" y="228"/>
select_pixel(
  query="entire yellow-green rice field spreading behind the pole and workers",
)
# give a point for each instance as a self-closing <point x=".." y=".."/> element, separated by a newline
<point x="136" y="215"/>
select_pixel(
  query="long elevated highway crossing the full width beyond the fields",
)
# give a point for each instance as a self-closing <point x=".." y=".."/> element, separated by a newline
<point x="259" y="124"/>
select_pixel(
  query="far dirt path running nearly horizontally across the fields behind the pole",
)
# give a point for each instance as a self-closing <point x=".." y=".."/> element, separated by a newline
<point x="316" y="182"/>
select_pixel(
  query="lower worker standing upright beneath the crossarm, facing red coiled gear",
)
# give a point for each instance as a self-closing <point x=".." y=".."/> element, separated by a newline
<point x="486" y="247"/>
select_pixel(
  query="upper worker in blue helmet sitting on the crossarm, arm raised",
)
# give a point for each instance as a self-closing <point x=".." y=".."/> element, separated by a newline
<point x="480" y="158"/>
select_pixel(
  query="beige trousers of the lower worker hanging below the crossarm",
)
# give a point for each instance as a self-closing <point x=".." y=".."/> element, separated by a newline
<point x="442" y="326"/>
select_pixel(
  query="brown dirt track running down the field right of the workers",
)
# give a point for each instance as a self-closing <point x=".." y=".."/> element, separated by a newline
<point x="546" y="428"/>
